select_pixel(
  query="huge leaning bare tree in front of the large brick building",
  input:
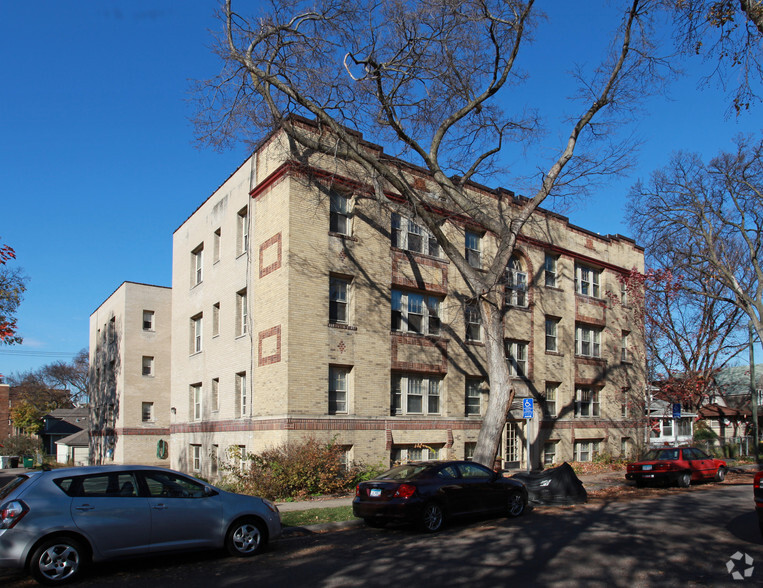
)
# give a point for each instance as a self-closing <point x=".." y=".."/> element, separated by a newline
<point x="423" y="79"/>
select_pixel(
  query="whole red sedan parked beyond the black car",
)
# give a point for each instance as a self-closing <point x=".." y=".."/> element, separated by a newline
<point x="676" y="465"/>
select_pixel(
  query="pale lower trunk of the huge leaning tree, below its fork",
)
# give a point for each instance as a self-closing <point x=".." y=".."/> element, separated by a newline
<point x="501" y="391"/>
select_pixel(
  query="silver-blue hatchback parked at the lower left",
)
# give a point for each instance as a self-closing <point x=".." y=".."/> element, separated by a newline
<point x="54" y="523"/>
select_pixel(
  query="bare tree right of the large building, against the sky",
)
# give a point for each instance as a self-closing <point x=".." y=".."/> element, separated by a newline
<point x="704" y="223"/>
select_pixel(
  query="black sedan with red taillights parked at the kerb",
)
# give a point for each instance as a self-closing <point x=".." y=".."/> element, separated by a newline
<point x="430" y="492"/>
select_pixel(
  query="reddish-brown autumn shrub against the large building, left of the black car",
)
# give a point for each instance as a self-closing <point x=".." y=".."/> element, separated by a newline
<point x="294" y="470"/>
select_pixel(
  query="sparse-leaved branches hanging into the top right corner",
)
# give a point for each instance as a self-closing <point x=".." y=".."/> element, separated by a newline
<point x="730" y="35"/>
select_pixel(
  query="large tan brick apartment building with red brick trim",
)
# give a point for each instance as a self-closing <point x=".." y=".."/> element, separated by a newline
<point x="303" y="307"/>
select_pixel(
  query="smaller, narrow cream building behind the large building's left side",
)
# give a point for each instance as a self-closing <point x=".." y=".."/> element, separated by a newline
<point x="130" y="342"/>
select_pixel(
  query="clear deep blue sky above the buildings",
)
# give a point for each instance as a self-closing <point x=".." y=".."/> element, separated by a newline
<point x="99" y="167"/>
